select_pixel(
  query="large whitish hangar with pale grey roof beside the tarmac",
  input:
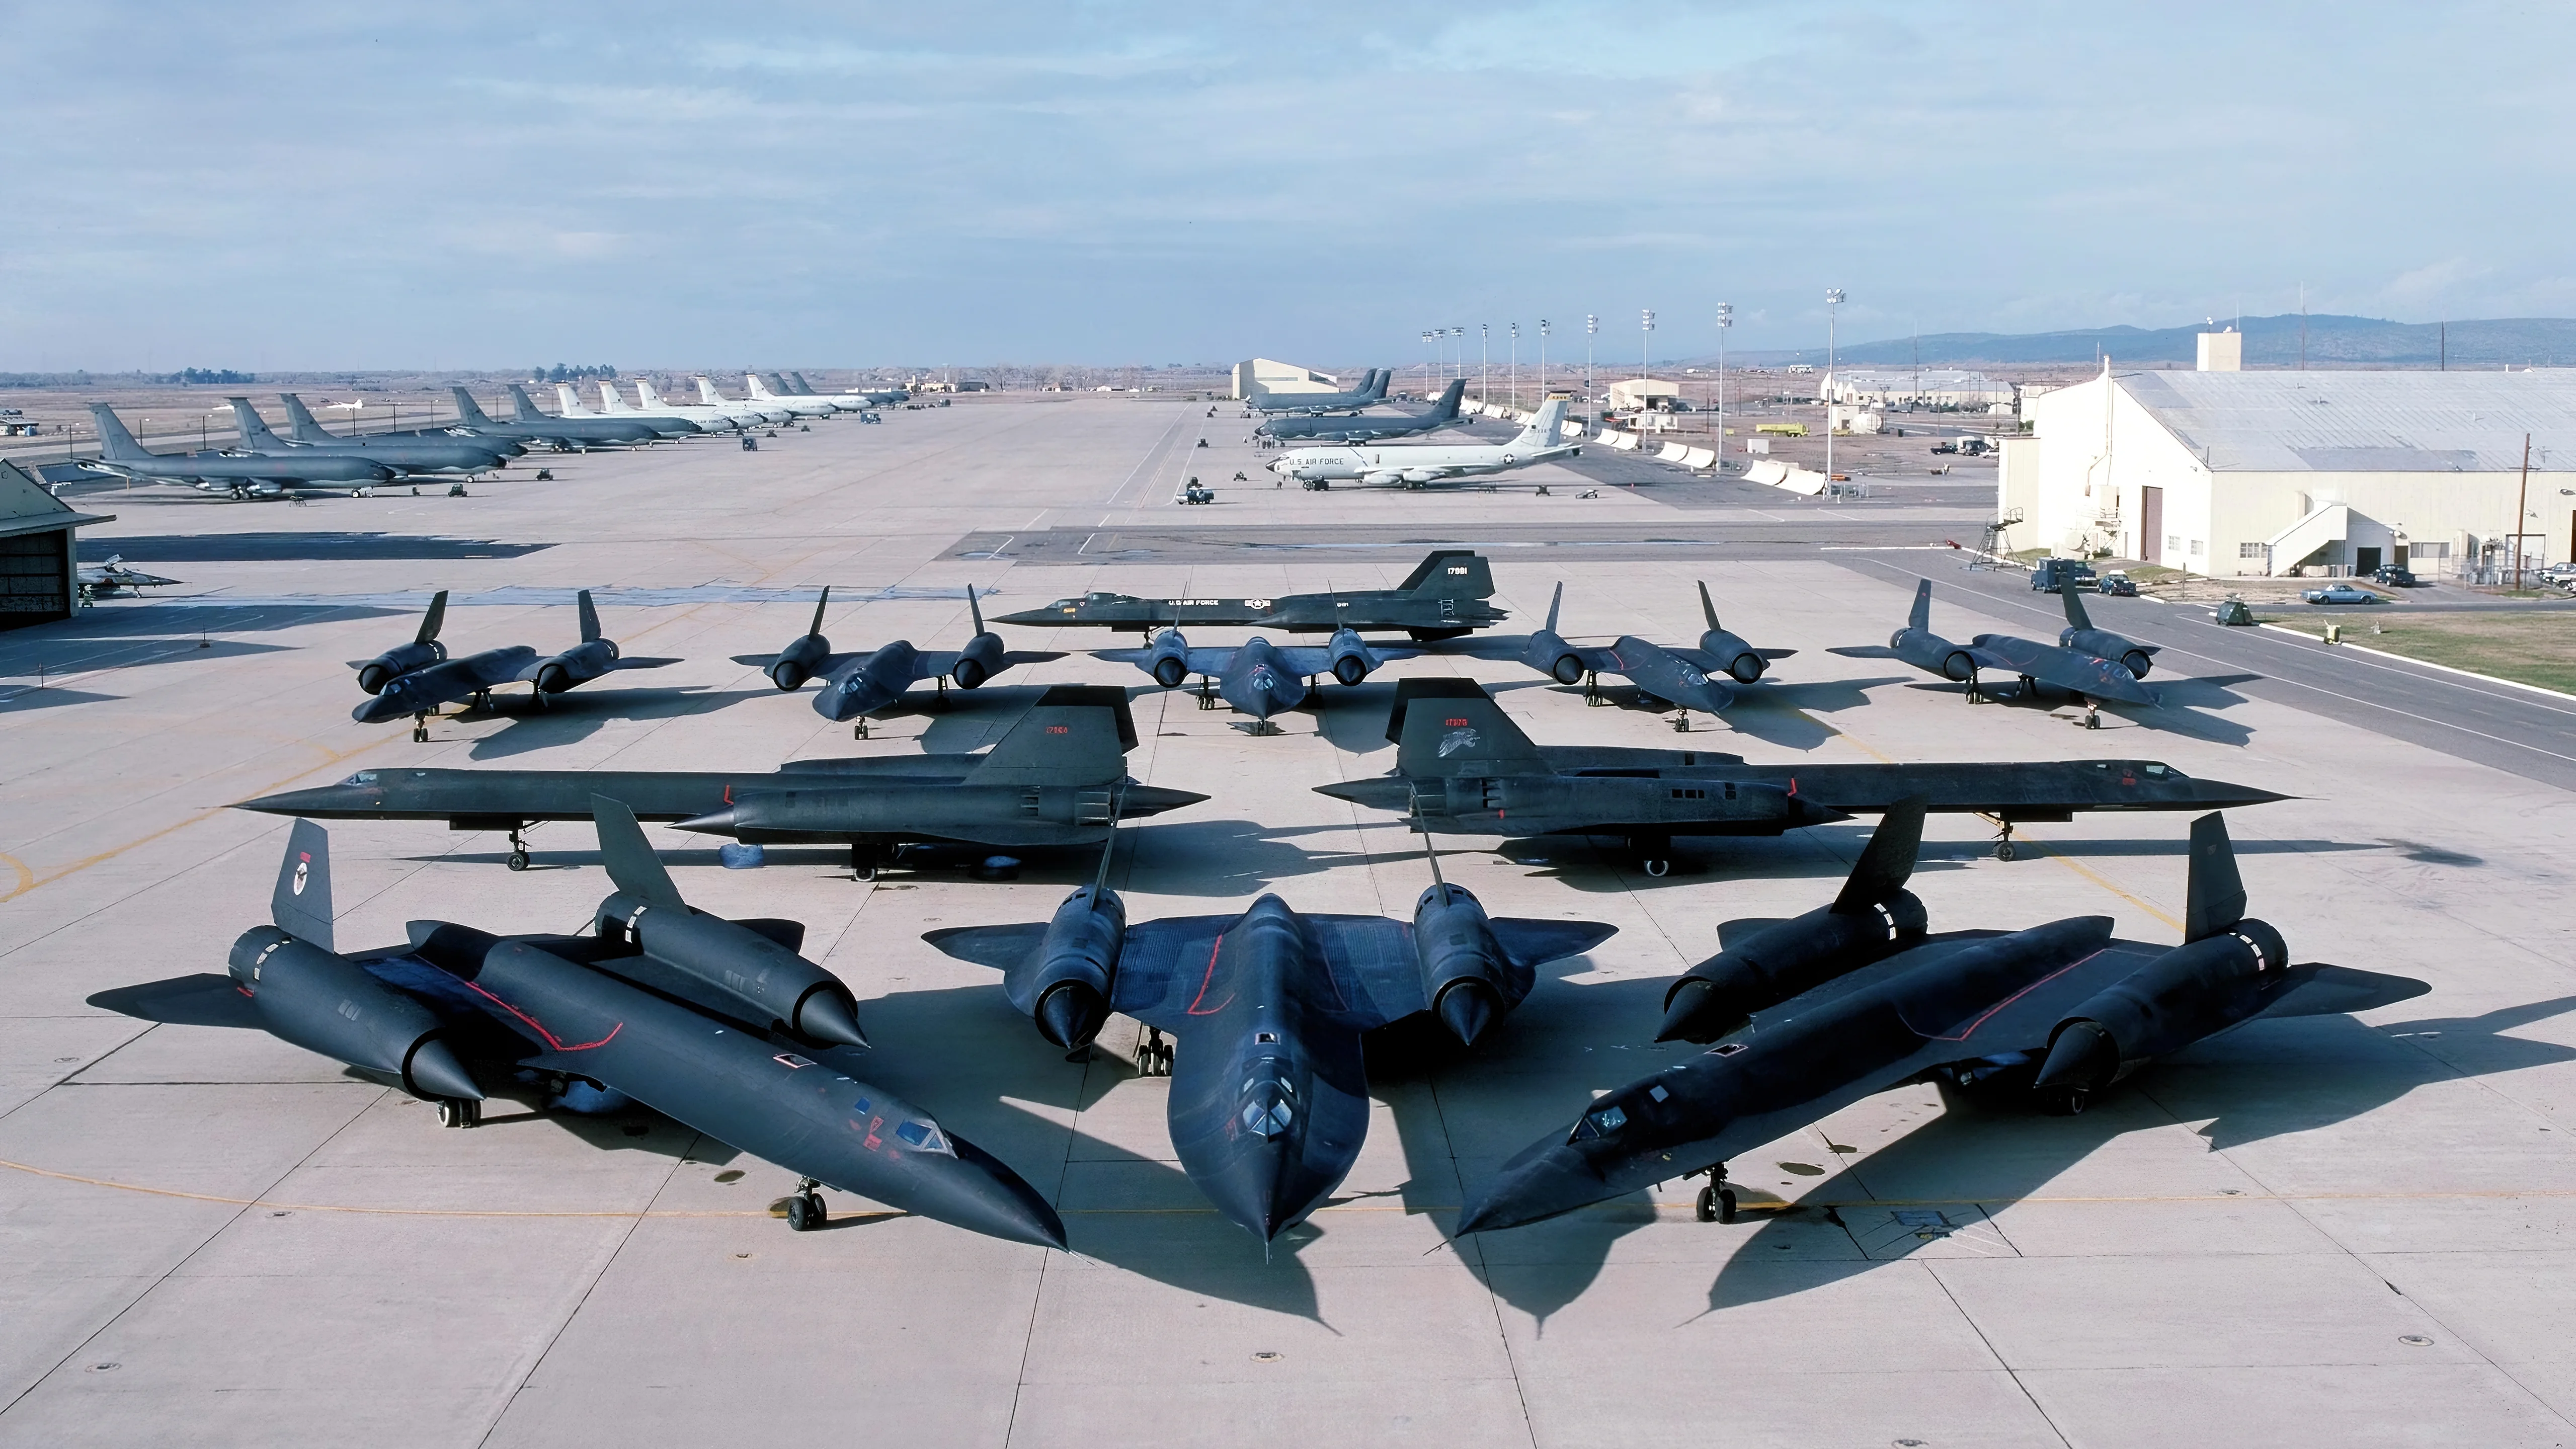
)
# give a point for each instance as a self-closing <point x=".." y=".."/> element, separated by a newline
<point x="2273" y="473"/>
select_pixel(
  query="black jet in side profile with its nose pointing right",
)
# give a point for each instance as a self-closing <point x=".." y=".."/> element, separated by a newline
<point x="1470" y="772"/>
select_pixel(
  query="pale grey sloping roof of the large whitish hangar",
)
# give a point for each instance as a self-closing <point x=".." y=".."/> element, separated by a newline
<point x="2366" y="422"/>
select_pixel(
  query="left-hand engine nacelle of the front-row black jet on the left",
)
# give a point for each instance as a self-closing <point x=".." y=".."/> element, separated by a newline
<point x="334" y="1007"/>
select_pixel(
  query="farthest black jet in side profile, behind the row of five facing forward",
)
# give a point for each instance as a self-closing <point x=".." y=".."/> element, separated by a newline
<point x="1446" y="597"/>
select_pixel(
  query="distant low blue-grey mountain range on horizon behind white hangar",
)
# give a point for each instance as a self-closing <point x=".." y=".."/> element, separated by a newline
<point x="2271" y="342"/>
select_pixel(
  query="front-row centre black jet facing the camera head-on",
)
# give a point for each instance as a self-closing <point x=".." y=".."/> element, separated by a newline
<point x="1266" y="1015"/>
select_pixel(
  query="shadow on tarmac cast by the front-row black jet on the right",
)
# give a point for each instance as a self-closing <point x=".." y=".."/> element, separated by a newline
<point x="1980" y="1156"/>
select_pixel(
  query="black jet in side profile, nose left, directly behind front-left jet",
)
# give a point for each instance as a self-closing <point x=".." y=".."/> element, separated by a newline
<point x="1047" y="783"/>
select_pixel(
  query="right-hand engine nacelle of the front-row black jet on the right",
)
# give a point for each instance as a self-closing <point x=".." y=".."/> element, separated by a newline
<point x="2163" y="1007"/>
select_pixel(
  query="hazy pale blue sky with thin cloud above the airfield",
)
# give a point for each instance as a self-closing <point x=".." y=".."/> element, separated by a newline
<point x="784" y="184"/>
